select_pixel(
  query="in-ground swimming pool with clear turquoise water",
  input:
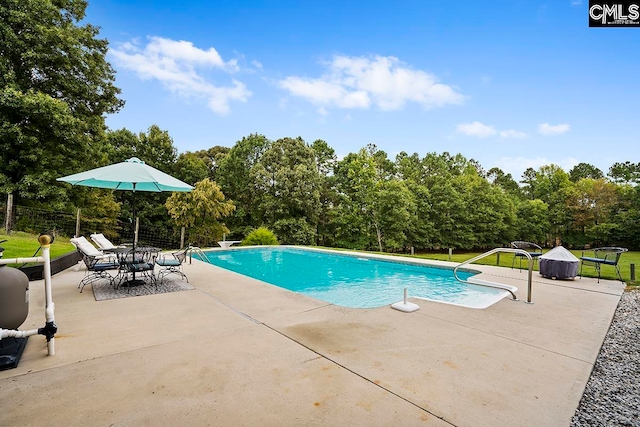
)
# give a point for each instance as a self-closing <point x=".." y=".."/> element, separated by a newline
<point x="352" y="280"/>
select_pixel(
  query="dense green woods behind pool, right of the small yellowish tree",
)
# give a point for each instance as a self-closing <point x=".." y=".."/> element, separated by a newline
<point x="365" y="200"/>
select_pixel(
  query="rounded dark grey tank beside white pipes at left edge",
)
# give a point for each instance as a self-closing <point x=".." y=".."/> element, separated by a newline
<point x="14" y="297"/>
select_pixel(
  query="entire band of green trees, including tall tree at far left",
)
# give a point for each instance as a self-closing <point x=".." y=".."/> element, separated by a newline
<point x="56" y="89"/>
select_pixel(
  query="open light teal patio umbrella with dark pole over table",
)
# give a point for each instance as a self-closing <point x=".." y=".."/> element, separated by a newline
<point x="132" y="175"/>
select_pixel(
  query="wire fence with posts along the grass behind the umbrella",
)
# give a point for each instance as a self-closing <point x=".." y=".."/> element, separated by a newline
<point x="35" y="220"/>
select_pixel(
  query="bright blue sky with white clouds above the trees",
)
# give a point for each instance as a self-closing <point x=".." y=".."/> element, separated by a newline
<point x="512" y="84"/>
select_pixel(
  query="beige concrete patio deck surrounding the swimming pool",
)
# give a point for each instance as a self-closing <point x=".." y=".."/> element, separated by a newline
<point x="239" y="352"/>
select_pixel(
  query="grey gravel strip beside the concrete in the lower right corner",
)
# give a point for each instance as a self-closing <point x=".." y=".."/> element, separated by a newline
<point x="612" y="395"/>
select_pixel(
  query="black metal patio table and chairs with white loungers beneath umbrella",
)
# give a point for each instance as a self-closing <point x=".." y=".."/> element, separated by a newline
<point x="127" y="261"/>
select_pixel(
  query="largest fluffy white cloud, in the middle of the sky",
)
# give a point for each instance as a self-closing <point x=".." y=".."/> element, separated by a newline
<point x="357" y="82"/>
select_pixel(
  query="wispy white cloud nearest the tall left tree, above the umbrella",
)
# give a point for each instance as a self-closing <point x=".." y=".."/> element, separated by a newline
<point x="179" y="66"/>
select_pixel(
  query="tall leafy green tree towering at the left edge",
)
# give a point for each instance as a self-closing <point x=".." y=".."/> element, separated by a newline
<point x="55" y="89"/>
